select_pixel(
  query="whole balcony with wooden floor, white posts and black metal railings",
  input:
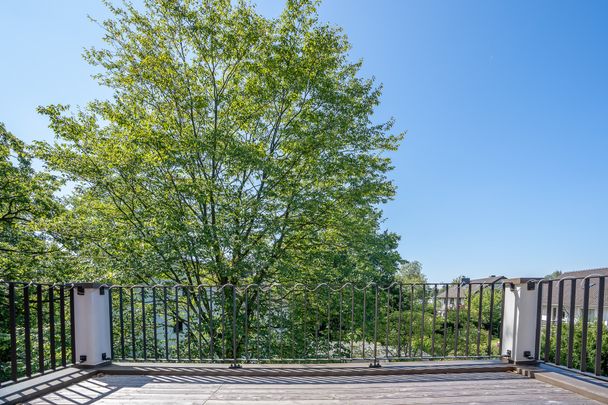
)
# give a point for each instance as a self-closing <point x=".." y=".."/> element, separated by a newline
<point x="82" y="343"/>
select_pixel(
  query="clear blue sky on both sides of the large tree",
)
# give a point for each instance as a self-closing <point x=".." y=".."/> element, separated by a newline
<point x="505" y="166"/>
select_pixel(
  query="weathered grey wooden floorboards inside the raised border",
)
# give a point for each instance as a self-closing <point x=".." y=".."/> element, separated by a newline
<point x="488" y="387"/>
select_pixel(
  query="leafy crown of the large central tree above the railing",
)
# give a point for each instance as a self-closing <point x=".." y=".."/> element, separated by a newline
<point x="236" y="148"/>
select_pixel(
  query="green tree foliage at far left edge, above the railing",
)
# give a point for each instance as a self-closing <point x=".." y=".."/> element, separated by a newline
<point x="27" y="202"/>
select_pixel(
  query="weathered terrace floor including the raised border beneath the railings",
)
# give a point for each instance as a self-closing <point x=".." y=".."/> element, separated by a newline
<point x="420" y="382"/>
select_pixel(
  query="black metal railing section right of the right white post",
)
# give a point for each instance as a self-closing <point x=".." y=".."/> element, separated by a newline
<point x="570" y="323"/>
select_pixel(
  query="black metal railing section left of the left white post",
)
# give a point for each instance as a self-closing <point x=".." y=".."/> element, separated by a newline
<point x="36" y="329"/>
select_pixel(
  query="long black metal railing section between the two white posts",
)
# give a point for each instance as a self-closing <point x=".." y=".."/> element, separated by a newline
<point x="297" y="323"/>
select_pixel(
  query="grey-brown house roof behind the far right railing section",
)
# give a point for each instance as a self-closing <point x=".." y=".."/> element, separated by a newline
<point x="578" y="277"/>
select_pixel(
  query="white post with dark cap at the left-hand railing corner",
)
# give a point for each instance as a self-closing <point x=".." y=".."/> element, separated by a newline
<point x="92" y="325"/>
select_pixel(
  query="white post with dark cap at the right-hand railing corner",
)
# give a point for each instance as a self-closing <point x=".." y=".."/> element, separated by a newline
<point x="519" y="330"/>
